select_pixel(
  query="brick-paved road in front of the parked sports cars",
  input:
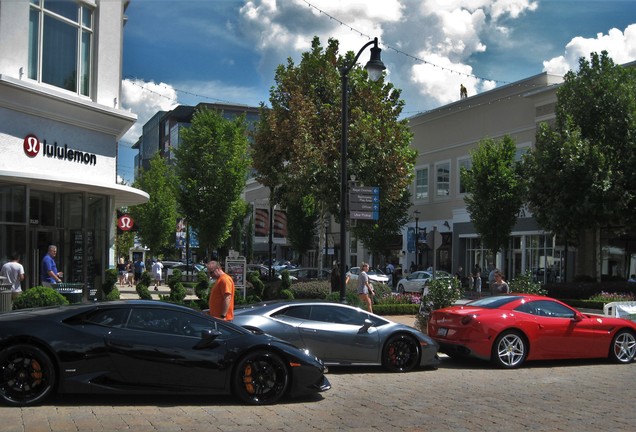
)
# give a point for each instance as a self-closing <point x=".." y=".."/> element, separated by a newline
<point x="548" y="396"/>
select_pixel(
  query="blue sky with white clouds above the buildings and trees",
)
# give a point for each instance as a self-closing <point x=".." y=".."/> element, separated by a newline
<point x="226" y="51"/>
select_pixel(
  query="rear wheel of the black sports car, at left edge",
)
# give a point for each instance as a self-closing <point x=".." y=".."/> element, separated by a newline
<point x="28" y="375"/>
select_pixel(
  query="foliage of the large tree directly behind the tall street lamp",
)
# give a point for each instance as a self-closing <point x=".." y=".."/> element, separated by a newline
<point x="297" y="141"/>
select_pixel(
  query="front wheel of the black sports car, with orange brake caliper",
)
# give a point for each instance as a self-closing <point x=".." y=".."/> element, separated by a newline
<point x="261" y="377"/>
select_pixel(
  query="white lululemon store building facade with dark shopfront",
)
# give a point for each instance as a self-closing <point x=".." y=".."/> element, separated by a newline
<point x="60" y="120"/>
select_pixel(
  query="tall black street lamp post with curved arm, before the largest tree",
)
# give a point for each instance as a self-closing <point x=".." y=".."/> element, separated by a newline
<point x="374" y="67"/>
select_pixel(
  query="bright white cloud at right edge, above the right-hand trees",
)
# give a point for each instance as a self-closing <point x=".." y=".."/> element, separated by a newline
<point x="621" y="47"/>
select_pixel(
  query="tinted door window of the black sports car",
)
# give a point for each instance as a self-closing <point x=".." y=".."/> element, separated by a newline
<point x="168" y="321"/>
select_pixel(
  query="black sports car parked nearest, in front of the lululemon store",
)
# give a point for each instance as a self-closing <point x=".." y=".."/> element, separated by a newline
<point x="145" y="347"/>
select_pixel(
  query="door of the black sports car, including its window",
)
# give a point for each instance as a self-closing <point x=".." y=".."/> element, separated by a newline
<point x="157" y="347"/>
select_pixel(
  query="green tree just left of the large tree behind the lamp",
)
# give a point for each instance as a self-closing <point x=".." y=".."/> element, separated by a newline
<point x="212" y="164"/>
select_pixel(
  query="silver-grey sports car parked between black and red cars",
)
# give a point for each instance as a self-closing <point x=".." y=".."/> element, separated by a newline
<point x="342" y="335"/>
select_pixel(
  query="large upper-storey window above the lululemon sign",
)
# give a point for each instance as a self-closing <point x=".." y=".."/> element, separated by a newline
<point x="60" y="44"/>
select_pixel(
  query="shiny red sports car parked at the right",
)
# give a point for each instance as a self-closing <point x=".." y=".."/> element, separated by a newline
<point x="510" y="329"/>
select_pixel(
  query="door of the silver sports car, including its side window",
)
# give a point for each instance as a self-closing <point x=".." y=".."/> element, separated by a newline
<point x="338" y="335"/>
